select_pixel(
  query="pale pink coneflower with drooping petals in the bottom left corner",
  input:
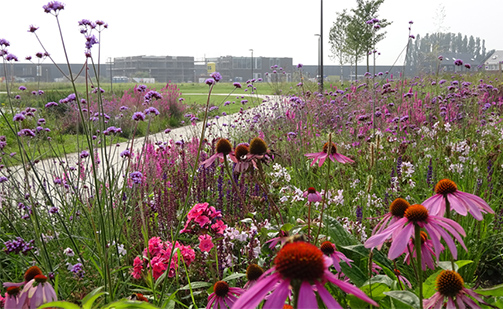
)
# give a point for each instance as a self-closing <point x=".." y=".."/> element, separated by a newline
<point x="38" y="292"/>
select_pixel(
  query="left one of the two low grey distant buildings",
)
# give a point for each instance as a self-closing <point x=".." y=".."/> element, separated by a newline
<point x="162" y="68"/>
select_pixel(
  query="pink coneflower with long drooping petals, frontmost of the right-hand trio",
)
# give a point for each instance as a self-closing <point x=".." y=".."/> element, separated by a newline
<point x="437" y="227"/>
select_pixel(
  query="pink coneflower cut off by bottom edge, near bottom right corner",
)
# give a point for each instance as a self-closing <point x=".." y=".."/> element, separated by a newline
<point x="451" y="285"/>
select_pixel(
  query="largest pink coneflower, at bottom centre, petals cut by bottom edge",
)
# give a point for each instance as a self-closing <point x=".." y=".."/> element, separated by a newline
<point x="301" y="264"/>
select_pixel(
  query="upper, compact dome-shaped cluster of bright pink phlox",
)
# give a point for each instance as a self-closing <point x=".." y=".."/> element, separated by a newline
<point x="203" y="217"/>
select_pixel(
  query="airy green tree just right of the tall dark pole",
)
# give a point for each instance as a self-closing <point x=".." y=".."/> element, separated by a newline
<point x="355" y="33"/>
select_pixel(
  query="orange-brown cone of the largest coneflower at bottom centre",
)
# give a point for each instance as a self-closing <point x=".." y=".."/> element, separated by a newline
<point x="300" y="260"/>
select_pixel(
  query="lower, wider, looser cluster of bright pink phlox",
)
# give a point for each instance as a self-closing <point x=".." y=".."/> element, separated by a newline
<point x="159" y="252"/>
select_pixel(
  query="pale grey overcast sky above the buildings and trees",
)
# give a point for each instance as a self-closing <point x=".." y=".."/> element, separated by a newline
<point x="272" y="28"/>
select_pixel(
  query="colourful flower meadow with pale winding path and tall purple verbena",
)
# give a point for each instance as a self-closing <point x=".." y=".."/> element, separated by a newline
<point x="384" y="192"/>
